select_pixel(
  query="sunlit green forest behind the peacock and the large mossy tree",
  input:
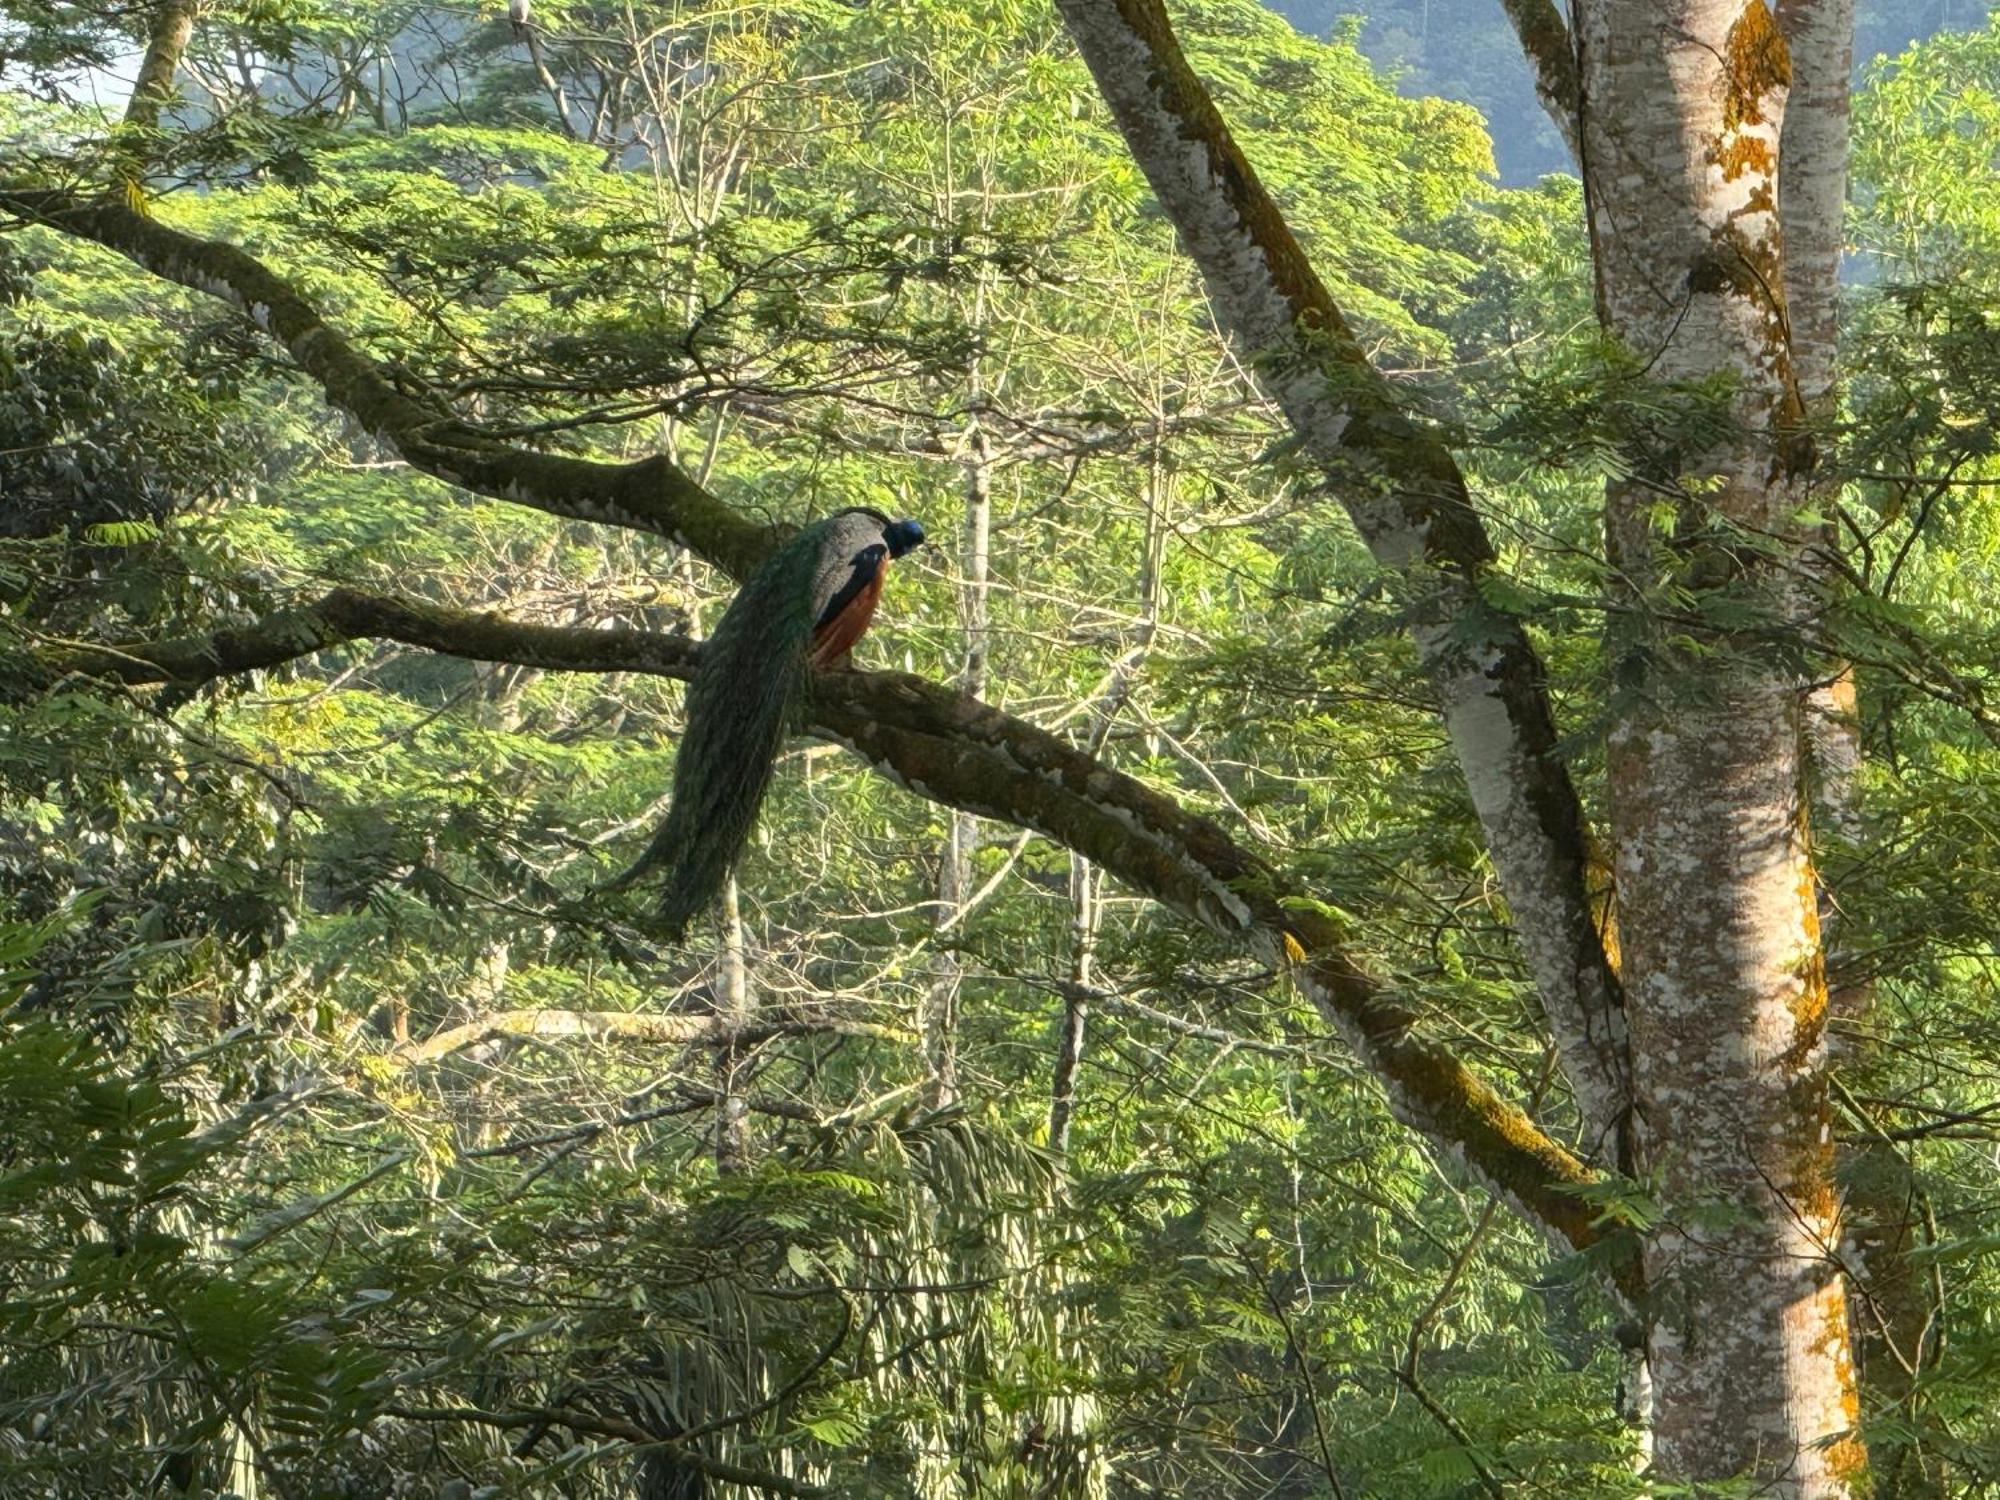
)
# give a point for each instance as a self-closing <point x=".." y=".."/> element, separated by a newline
<point x="351" y="1147"/>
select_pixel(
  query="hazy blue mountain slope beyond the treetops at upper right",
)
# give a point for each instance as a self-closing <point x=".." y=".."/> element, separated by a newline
<point x="1467" y="51"/>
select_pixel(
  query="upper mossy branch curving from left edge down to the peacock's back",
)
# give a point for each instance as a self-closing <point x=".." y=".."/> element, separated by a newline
<point x="651" y="495"/>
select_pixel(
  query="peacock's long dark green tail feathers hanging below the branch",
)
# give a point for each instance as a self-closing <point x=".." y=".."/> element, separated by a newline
<point x="747" y="697"/>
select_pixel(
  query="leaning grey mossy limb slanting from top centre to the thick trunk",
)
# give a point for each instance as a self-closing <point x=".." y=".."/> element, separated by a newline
<point x="1411" y="505"/>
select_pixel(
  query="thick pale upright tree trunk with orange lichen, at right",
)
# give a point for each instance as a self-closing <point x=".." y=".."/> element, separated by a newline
<point x="1717" y="903"/>
